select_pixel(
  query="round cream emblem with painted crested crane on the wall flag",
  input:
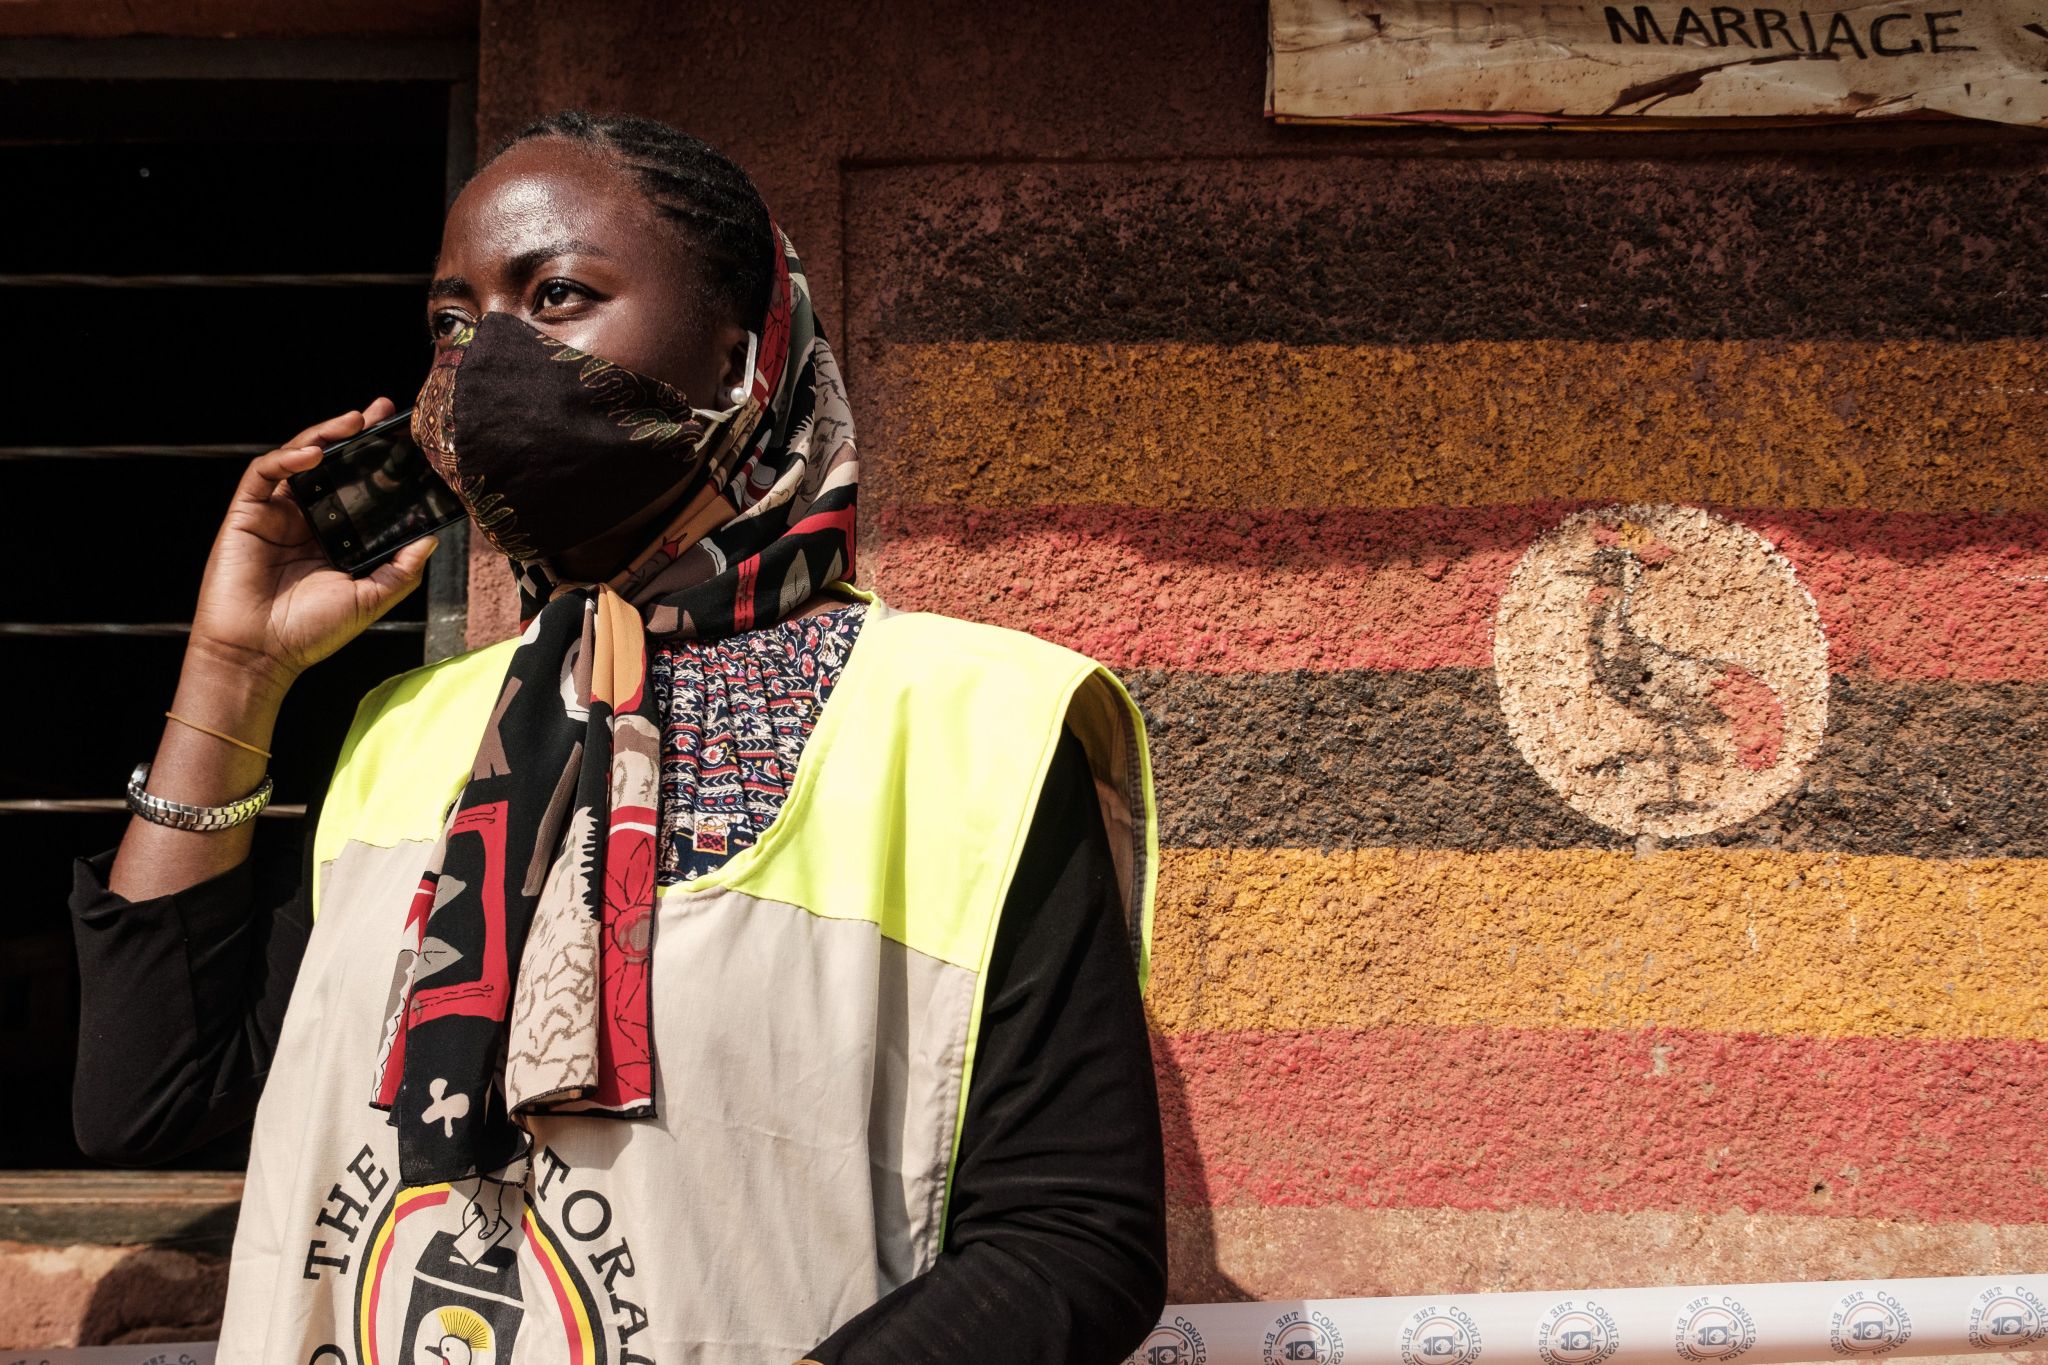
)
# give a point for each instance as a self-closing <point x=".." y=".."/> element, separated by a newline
<point x="1662" y="668"/>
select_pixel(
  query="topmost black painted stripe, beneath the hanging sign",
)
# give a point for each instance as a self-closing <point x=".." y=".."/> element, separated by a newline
<point x="1938" y="243"/>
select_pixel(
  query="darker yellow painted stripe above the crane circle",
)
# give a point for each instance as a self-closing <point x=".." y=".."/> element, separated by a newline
<point x="1775" y="425"/>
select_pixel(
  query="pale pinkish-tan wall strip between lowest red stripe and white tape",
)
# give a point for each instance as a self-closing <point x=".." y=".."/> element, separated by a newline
<point x="1281" y="1253"/>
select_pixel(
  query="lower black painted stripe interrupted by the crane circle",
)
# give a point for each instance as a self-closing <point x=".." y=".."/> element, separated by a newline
<point x="1424" y="760"/>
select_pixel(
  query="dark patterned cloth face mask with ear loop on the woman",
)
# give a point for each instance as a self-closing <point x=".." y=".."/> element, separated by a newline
<point x="552" y="447"/>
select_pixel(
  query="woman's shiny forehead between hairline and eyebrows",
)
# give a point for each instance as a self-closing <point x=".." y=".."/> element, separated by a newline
<point x="550" y="189"/>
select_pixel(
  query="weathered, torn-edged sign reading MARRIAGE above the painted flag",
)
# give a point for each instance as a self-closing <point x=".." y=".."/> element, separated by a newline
<point x="1549" y="62"/>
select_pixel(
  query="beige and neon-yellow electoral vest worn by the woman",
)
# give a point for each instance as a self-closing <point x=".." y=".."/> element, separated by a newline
<point x="816" y="1006"/>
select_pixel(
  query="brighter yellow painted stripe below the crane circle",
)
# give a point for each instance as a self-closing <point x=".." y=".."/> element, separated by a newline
<point x="1715" y="940"/>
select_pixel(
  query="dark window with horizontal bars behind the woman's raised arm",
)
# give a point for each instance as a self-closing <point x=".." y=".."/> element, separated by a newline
<point x="210" y="247"/>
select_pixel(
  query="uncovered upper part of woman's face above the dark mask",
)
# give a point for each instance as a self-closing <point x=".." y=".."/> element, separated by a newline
<point x="562" y="238"/>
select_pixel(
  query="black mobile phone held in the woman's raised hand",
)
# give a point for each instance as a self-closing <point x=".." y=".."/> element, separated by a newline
<point x="372" y="496"/>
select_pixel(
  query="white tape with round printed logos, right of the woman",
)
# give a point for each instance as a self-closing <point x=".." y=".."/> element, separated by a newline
<point x="1699" y="1325"/>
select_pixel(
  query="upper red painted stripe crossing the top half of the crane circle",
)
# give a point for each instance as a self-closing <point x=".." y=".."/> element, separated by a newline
<point x="1902" y="595"/>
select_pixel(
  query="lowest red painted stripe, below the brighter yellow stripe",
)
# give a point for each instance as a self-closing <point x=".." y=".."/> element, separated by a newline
<point x="1609" y="1122"/>
